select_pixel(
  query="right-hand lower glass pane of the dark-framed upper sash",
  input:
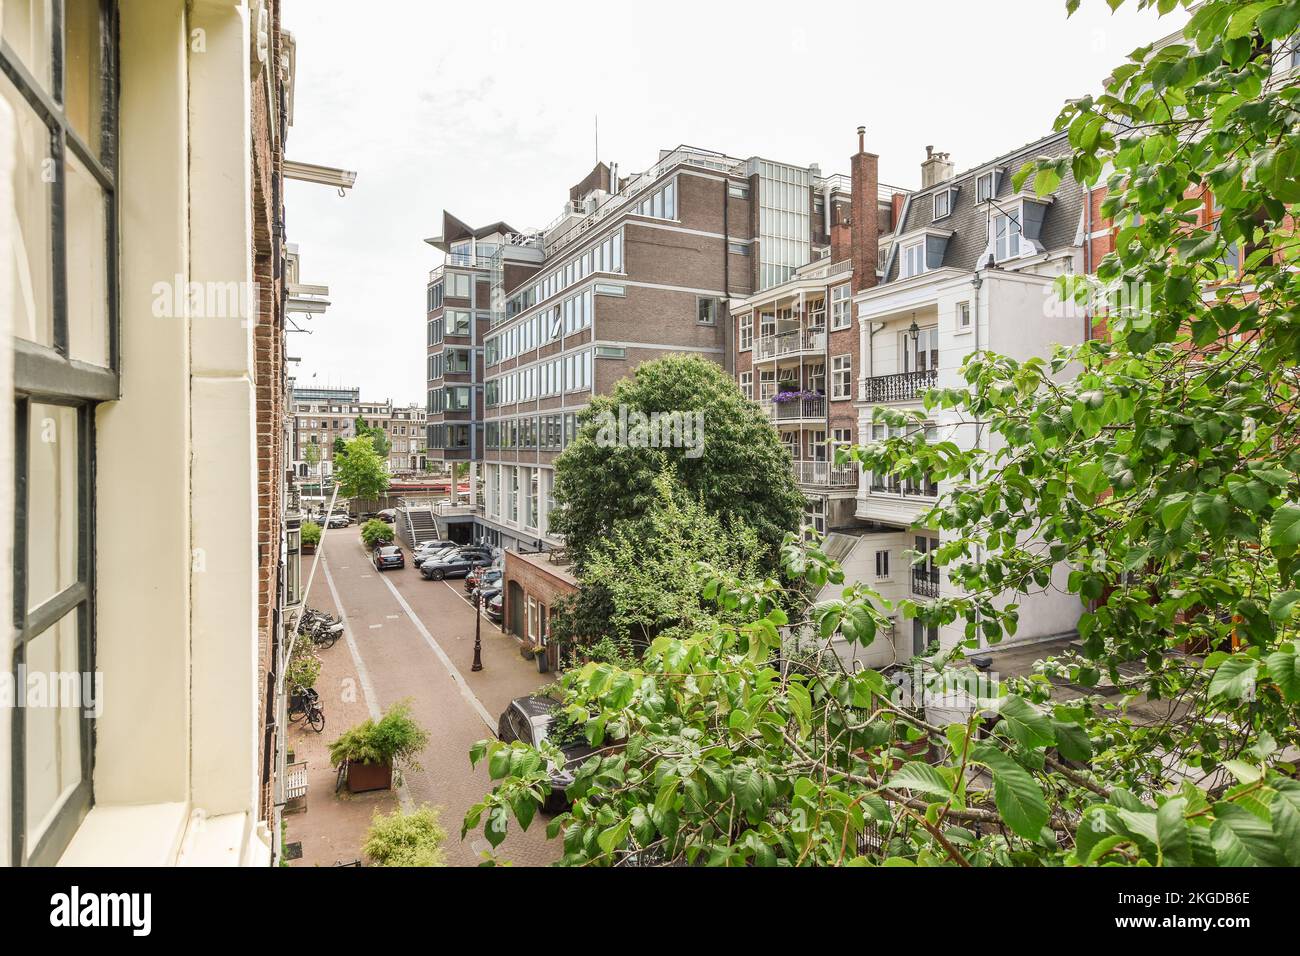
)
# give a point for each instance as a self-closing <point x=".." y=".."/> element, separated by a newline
<point x="88" y="266"/>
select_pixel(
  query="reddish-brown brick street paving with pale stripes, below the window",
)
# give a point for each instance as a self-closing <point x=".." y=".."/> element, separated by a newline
<point x="413" y="639"/>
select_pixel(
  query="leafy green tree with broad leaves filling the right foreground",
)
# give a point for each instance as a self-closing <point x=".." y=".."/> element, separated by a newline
<point x="1164" y="474"/>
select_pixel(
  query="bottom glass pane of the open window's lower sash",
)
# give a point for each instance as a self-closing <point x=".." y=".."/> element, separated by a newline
<point x="53" y="726"/>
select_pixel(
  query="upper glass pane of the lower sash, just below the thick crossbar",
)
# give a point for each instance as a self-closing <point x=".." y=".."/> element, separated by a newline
<point x="53" y="520"/>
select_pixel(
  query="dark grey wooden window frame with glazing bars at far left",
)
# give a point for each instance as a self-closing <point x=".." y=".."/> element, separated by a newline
<point x="49" y="375"/>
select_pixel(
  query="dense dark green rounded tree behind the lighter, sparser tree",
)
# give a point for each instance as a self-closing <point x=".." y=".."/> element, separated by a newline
<point x="739" y="469"/>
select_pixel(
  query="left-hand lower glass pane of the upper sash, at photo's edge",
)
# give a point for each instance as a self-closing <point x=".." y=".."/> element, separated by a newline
<point x="31" y="304"/>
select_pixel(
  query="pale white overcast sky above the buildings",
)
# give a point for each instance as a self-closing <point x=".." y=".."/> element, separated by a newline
<point x="488" y="110"/>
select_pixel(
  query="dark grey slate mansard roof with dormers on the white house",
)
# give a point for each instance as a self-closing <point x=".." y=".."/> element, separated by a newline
<point x="970" y="223"/>
